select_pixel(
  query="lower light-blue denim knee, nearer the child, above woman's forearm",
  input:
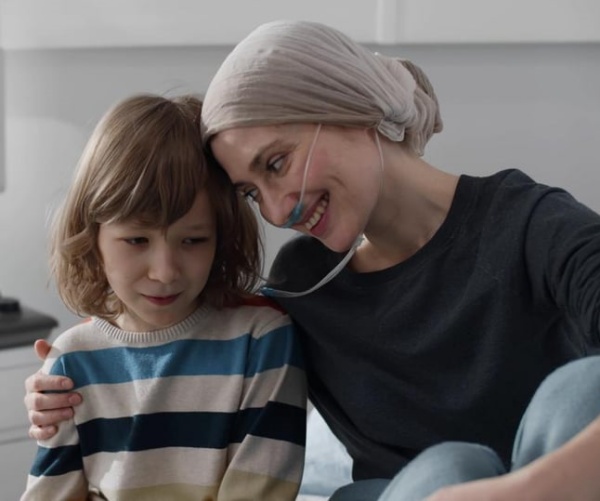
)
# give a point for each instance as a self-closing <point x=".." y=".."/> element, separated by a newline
<point x="441" y="465"/>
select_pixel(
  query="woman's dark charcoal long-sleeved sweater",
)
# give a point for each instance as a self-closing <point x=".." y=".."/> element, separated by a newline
<point x="451" y="343"/>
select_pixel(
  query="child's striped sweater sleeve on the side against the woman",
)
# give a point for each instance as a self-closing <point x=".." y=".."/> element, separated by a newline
<point x="266" y="454"/>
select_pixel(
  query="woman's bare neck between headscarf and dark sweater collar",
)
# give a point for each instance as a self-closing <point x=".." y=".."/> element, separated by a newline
<point x="414" y="202"/>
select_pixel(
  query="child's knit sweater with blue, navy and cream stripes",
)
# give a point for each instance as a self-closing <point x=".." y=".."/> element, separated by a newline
<point x="211" y="408"/>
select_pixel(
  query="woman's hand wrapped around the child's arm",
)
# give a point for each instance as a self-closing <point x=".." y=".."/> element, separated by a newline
<point x="46" y="410"/>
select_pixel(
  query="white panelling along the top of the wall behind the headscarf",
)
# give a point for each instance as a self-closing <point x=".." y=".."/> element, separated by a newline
<point x="32" y="24"/>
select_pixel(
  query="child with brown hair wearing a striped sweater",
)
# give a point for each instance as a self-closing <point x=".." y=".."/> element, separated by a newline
<point x="192" y="388"/>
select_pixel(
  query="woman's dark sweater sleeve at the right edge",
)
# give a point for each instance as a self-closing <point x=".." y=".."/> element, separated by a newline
<point x="563" y="258"/>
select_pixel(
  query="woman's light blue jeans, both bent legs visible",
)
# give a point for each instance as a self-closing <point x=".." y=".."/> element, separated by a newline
<point x="564" y="404"/>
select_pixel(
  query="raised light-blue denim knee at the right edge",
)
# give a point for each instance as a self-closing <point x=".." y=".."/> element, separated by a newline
<point x="564" y="404"/>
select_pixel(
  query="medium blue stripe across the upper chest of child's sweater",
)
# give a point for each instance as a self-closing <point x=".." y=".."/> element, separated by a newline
<point x="189" y="357"/>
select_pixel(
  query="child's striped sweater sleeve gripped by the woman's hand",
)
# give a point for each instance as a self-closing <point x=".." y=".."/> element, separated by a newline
<point x="57" y="471"/>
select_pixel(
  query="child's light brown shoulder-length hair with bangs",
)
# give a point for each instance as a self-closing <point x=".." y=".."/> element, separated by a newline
<point x="145" y="161"/>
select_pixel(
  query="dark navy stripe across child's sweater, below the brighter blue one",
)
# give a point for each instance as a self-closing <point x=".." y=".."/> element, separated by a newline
<point x="192" y="429"/>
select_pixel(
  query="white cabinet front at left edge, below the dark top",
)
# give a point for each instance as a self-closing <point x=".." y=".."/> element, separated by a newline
<point x="16" y="448"/>
